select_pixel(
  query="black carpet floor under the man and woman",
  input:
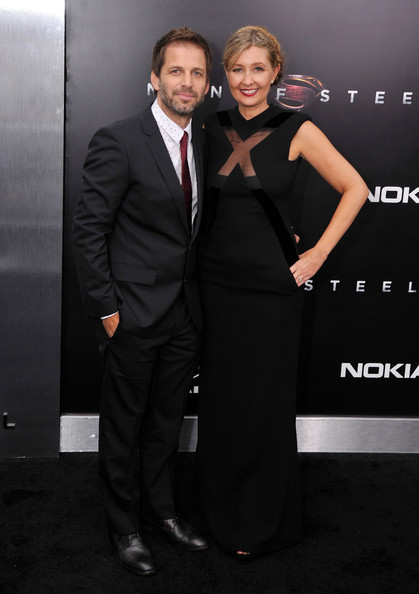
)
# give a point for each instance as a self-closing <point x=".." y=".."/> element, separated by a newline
<point x="361" y="523"/>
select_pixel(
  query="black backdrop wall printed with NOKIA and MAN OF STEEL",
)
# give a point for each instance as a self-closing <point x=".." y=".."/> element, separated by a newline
<point x="353" y="67"/>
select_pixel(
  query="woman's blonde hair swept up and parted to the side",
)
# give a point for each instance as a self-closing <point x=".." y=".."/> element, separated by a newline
<point x="253" y="36"/>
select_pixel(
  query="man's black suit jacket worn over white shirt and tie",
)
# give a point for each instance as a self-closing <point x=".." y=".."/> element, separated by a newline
<point x="133" y="250"/>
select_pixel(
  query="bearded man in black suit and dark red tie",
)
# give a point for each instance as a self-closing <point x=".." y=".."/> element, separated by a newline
<point x="134" y="234"/>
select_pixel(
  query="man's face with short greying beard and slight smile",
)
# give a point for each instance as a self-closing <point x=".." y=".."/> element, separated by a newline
<point x="182" y="83"/>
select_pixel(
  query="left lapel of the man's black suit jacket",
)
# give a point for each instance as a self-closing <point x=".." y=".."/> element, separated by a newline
<point x="157" y="148"/>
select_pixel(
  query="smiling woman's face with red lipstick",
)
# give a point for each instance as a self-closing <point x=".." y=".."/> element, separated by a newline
<point x="250" y="79"/>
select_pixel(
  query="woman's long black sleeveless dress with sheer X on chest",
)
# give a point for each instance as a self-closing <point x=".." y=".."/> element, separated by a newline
<point x="247" y="451"/>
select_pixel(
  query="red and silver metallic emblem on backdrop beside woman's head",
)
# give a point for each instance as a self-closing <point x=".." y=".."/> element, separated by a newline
<point x="300" y="91"/>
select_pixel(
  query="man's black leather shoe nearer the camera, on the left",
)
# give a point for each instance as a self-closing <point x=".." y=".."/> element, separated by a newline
<point x="132" y="553"/>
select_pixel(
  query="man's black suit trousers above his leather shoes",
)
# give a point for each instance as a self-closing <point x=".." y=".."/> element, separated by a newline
<point x="145" y="385"/>
